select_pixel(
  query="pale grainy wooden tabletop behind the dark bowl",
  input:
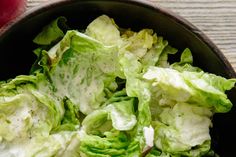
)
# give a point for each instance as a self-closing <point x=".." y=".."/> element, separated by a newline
<point x="216" y="18"/>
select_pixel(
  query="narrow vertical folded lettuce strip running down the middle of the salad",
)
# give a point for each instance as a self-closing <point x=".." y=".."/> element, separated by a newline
<point x="136" y="87"/>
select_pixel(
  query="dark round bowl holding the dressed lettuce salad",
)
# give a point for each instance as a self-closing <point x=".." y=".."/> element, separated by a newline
<point x="16" y="45"/>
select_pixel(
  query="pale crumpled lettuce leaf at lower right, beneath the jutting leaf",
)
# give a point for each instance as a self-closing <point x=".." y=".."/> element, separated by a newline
<point x="182" y="128"/>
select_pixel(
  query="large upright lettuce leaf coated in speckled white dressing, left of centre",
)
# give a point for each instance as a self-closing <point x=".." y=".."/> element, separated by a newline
<point x="81" y="69"/>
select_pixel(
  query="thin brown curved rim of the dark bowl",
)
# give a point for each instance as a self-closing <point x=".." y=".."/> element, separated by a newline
<point x="143" y="3"/>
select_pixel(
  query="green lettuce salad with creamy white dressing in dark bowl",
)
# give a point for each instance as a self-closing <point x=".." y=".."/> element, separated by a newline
<point x="109" y="92"/>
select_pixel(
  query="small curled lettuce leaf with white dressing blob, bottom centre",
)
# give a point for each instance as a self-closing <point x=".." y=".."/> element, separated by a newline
<point x="118" y="115"/>
